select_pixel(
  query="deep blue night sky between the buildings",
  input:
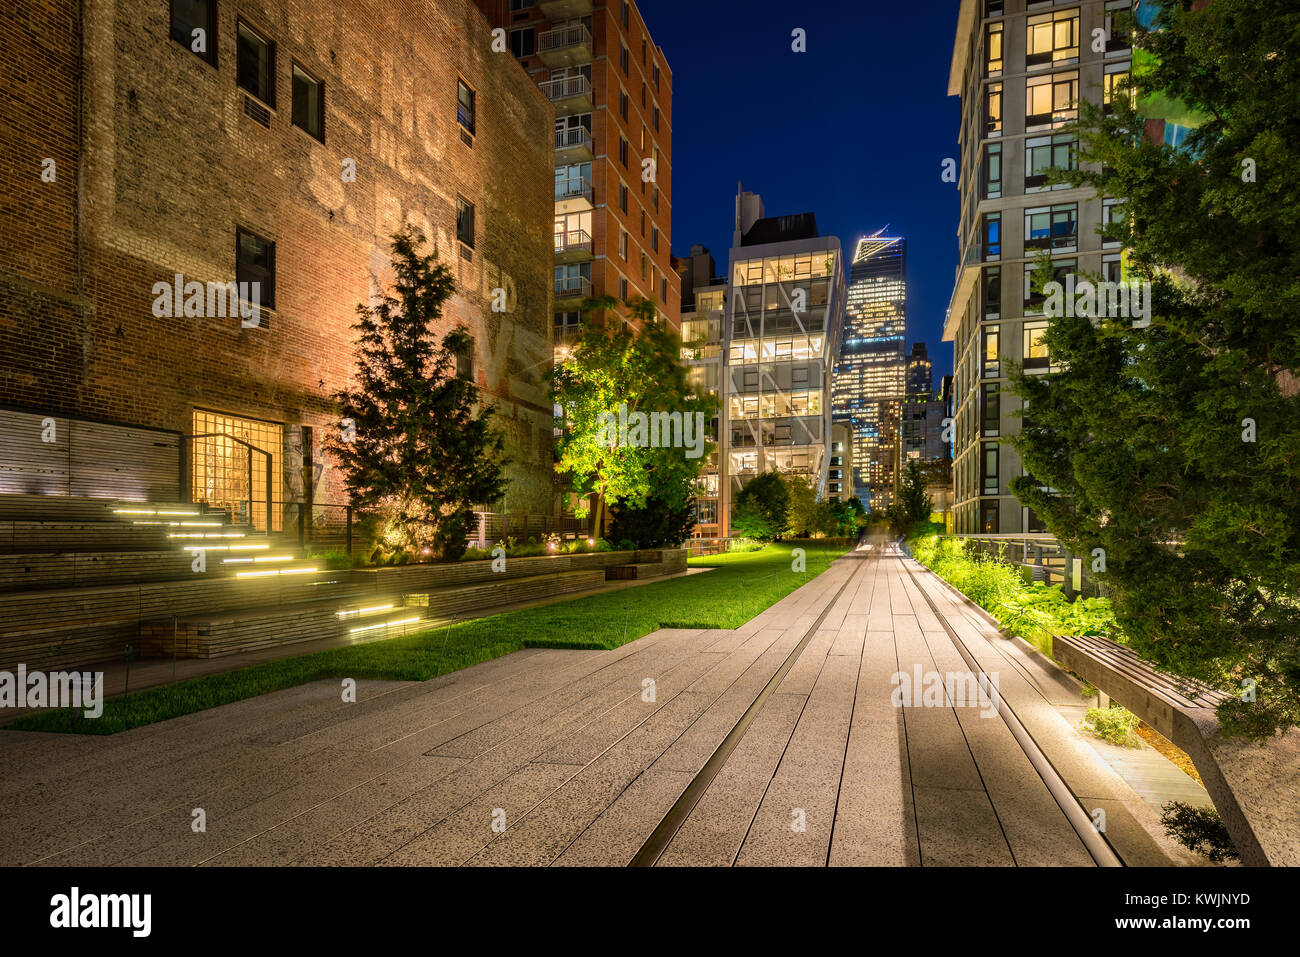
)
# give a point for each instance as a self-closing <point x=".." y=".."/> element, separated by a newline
<point x="855" y="131"/>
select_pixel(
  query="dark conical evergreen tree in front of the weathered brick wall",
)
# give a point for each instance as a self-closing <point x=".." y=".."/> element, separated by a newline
<point x="424" y="449"/>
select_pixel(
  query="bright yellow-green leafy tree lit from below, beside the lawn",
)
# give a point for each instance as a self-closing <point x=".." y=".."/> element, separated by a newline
<point x="613" y="370"/>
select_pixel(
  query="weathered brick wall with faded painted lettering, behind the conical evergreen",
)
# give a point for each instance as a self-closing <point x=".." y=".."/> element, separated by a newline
<point x="171" y="166"/>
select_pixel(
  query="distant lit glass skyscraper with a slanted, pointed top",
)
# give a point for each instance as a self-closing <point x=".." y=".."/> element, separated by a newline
<point x="872" y="363"/>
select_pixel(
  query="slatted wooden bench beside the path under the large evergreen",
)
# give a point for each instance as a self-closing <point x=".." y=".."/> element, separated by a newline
<point x="1255" y="789"/>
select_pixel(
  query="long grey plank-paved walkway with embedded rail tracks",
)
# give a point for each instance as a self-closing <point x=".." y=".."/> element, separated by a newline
<point x="575" y="757"/>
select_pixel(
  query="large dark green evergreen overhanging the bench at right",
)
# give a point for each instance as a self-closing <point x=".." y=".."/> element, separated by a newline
<point x="1171" y="452"/>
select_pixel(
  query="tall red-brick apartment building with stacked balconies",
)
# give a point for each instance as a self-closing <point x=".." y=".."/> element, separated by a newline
<point x="613" y="94"/>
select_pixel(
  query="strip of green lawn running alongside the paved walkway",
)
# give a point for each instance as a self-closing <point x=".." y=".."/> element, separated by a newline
<point x="739" y="587"/>
